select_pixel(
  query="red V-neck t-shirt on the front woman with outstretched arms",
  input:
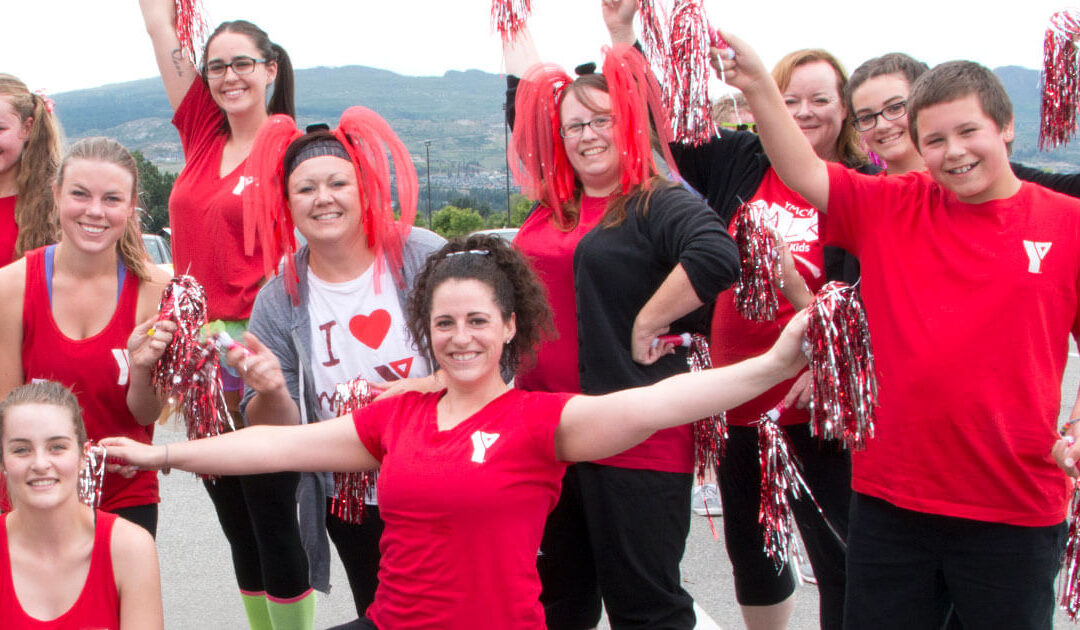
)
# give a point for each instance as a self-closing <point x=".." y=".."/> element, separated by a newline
<point x="465" y="511"/>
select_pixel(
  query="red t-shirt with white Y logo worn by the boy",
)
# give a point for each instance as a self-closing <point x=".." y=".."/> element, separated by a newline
<point x="970" y="309"/>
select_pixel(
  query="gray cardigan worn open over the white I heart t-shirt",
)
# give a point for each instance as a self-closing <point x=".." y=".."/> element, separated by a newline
<point x="287" y="331"/>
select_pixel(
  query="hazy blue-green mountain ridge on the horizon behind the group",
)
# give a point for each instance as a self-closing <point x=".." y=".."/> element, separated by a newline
<point x="461" y="114"/>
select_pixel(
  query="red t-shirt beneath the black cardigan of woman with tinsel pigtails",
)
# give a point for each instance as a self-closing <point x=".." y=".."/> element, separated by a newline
<point x="550" y="252"/>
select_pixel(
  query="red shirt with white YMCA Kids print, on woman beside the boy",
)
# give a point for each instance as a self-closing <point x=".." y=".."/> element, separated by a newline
<point x="734" y="338"/>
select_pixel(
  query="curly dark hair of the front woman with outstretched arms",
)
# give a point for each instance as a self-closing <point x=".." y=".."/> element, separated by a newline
<point x="518" y="292"/>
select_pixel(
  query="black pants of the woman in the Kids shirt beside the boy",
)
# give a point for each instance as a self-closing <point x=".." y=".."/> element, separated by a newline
<point x="827" y="470"/>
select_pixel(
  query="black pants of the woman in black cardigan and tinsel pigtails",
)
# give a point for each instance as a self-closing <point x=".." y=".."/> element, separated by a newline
<point x="637" y="522"/>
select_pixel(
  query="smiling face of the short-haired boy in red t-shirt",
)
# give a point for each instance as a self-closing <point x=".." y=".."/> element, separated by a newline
<point x="966" y="152"/>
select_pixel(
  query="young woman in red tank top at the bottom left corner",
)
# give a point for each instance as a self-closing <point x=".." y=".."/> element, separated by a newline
<point x="64" y="566"/>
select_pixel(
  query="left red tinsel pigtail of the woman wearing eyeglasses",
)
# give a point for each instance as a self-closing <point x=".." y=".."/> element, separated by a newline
<point x="537" y="154"/>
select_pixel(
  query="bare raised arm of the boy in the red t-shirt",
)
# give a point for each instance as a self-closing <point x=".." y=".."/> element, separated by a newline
<point x="789" y="151"/>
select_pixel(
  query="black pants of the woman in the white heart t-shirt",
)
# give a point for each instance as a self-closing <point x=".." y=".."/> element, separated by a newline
<point x="359" y="549"/>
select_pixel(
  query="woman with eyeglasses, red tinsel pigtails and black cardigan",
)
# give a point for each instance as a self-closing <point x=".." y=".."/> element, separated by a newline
<point x="626" y="257"/>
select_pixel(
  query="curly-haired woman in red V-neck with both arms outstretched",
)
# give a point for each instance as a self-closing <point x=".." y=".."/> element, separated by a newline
<point x="469" y="474"/>
